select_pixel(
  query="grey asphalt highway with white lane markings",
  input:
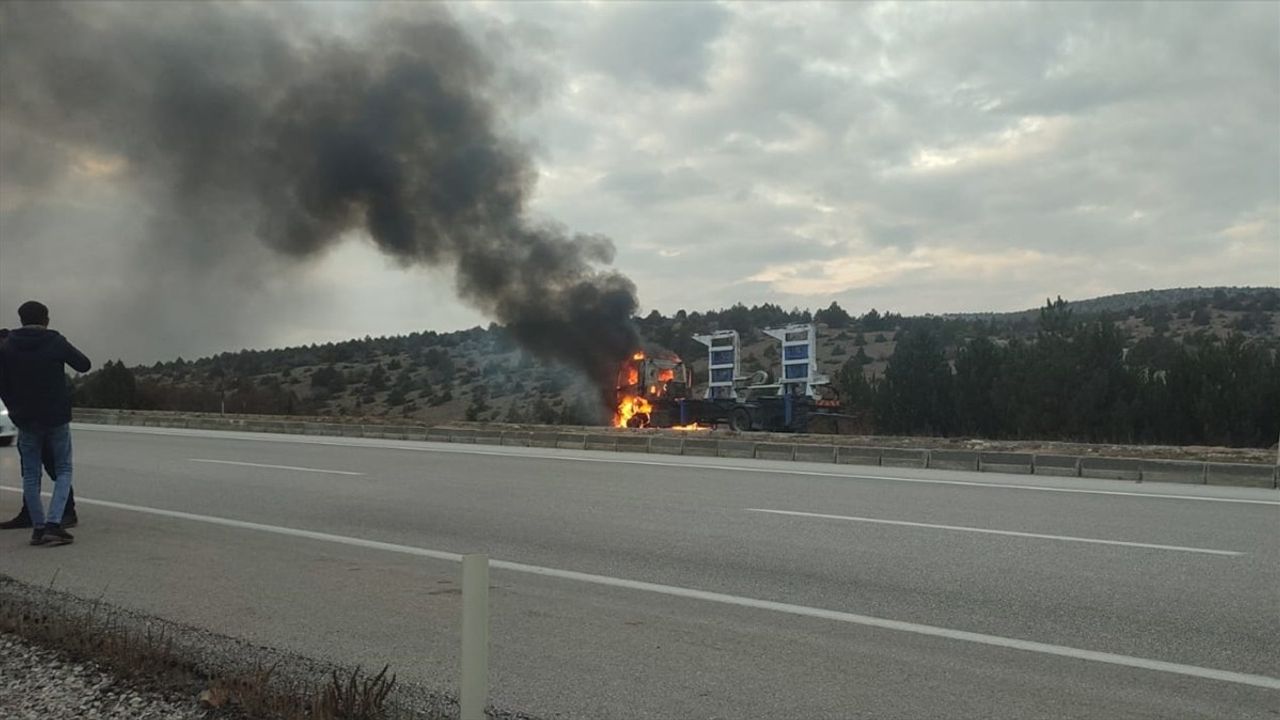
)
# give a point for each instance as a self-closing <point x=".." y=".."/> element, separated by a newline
<point x="639" y="586"/>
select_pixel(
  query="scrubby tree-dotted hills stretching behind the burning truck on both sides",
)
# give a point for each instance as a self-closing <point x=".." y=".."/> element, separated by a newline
<point x="1054" y="375"/>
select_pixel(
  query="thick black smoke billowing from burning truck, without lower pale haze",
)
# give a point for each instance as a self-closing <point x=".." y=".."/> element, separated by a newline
<point x="240" y="122"/>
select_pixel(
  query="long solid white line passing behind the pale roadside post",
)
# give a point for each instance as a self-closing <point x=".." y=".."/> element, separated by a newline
<point x="707" y="596"/>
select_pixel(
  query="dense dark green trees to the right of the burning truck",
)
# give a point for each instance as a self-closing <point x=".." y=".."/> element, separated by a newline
<point x="1076" y="381"/>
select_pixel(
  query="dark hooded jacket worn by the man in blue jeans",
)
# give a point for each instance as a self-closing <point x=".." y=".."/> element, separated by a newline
<point x="33" y="376"/>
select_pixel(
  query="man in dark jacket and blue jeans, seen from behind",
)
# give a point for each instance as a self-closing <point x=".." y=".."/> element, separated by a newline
<point x="34" y="388"/>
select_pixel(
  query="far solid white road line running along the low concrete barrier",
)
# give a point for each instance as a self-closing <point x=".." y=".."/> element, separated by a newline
<point x="424" y="446"/>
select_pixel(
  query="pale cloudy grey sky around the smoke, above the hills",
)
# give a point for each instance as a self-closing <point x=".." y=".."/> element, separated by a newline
<point x="908" y="157"/>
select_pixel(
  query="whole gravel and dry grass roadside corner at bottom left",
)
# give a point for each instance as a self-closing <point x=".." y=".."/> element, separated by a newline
<point x="65" y="657"/>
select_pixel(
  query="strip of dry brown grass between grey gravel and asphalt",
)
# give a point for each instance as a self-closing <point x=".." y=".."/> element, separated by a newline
<point x="228" y="680"/>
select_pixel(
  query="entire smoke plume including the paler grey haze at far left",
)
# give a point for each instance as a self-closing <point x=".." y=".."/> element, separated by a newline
<point x="245" y="143"/>
